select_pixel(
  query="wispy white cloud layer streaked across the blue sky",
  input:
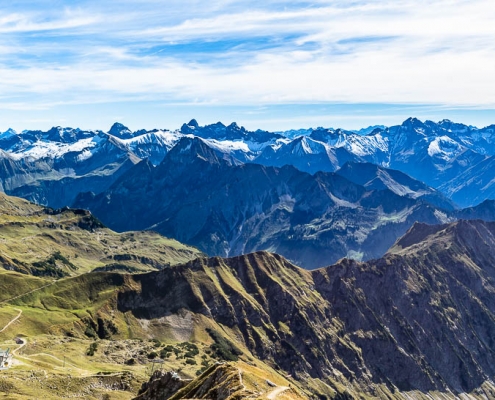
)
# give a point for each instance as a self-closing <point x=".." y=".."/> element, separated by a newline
<point x="402" y="51"/>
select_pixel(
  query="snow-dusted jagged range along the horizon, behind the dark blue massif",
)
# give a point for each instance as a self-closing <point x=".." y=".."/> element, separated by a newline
<point x="451" y="157"/>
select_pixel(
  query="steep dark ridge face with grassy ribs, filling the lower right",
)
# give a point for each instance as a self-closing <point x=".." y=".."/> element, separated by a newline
<point x="421" y="318"/>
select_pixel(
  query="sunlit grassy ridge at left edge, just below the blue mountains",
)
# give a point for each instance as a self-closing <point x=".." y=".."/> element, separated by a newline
<point x="56" y="243"/>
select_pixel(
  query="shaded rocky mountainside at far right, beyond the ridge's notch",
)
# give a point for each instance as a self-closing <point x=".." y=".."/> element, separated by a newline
<point x="423" y="316"/>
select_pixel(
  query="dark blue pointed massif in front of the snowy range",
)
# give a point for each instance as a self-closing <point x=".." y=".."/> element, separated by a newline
<point x="203" y="197"/>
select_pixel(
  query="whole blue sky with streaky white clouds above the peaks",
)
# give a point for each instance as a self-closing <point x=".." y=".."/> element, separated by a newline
<point x="269" y="64"/>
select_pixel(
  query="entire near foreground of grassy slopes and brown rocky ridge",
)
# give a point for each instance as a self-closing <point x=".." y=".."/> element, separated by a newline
<point x="418" y="322"/>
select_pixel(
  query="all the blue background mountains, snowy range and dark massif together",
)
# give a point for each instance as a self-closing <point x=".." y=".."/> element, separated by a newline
<point x="313" y="196"/>
